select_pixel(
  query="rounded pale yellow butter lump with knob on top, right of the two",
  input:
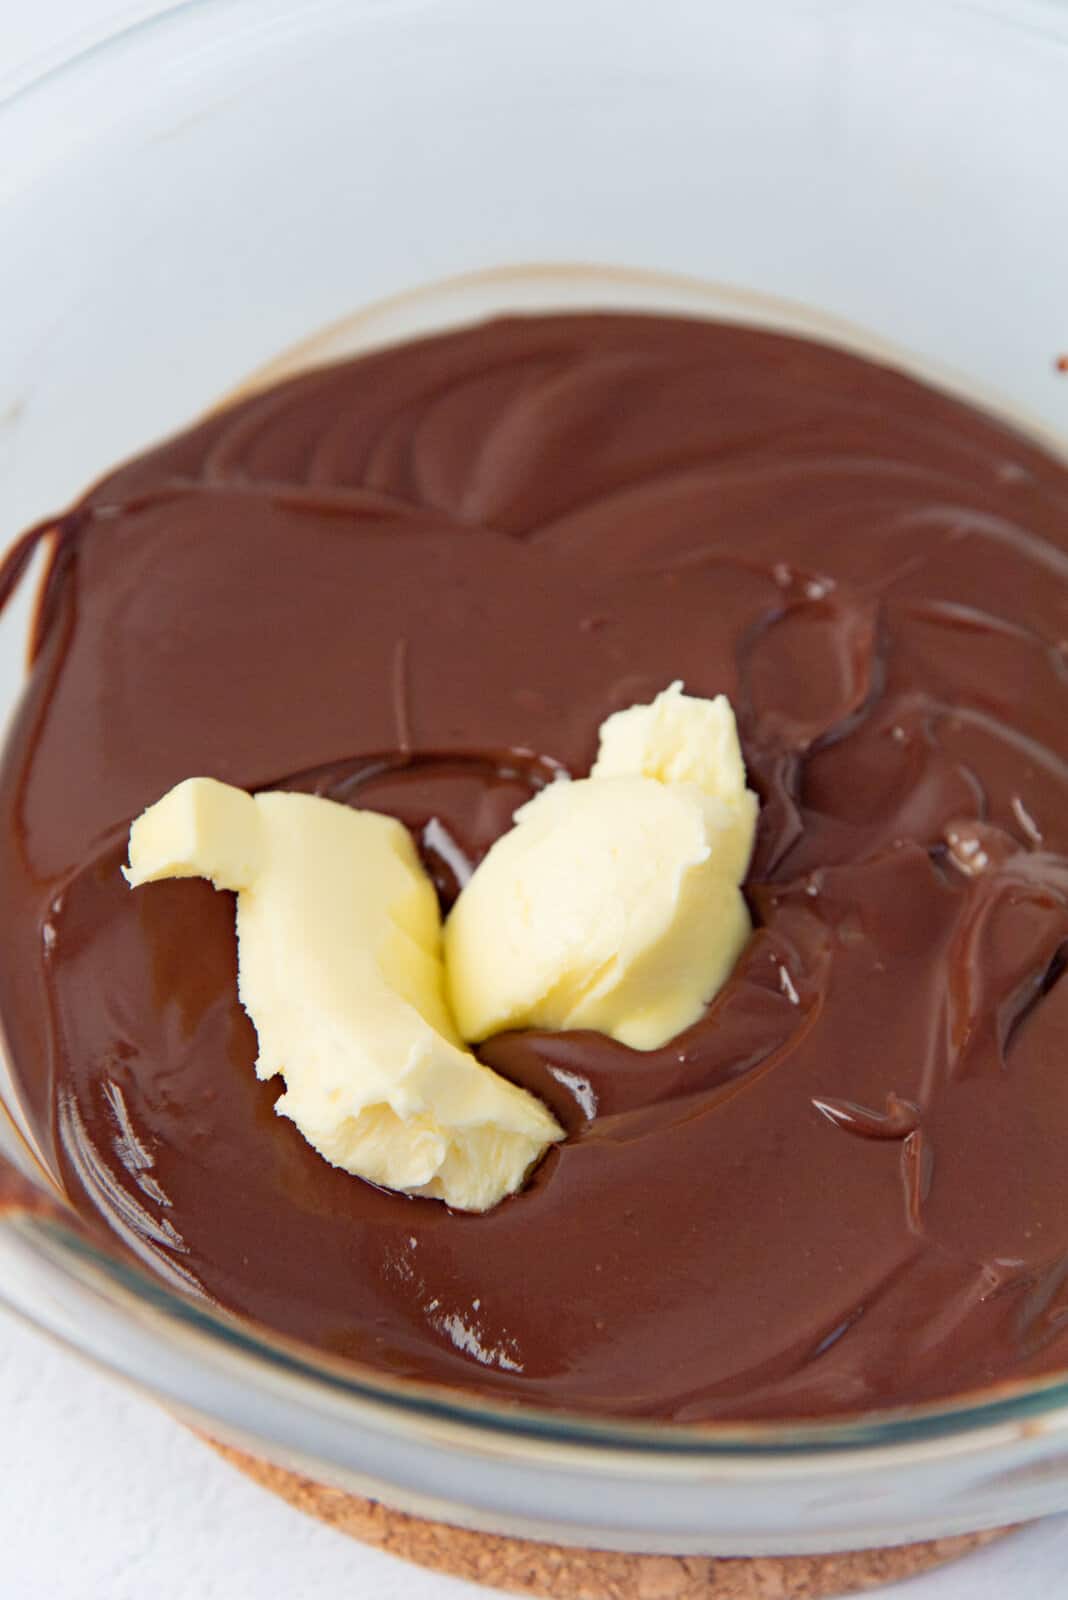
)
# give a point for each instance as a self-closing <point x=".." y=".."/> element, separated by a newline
<point x="615" y="903"/>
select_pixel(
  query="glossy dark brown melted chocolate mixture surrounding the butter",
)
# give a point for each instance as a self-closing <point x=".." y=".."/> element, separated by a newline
<point x="418" y="583"/>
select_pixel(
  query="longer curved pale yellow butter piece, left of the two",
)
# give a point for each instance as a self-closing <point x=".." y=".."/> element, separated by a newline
<point x="340" y="969"/>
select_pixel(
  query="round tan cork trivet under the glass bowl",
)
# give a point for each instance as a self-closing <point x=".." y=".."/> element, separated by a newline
<point x="551" y="1570"/>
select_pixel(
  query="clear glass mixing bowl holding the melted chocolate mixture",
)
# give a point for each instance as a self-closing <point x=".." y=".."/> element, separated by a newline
<point x="204" y="191"/>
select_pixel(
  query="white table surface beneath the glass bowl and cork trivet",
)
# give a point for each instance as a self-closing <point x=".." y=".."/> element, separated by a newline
<point x="106" y="1498"/>
